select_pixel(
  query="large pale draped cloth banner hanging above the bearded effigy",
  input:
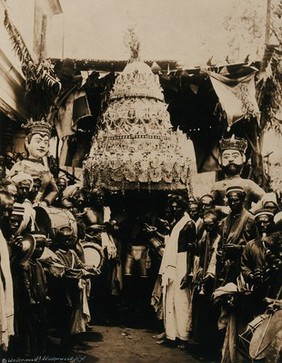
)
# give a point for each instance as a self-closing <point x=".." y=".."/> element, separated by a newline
<point x="236" y="96"/>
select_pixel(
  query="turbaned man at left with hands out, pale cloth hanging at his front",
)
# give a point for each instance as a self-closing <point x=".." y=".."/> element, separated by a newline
<point x="70" y="291"/>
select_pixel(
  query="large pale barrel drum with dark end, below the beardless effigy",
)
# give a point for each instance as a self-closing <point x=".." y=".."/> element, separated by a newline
<point x="50" y="219"/>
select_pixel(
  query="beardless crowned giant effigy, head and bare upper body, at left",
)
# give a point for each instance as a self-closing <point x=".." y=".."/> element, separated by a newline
<point x="37" y="147"/>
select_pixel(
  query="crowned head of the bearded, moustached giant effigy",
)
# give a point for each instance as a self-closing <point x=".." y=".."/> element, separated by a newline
<point x="232" y="155"/>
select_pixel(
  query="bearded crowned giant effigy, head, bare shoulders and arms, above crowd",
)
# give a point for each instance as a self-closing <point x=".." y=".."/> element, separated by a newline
<point x="231" y="159"/>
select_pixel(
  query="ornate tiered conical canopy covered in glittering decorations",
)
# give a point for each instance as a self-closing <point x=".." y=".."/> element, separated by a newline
<point x="135" y="147"/>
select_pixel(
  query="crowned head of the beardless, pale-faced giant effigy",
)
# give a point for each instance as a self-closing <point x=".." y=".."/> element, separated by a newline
<point x="37" y="139"/>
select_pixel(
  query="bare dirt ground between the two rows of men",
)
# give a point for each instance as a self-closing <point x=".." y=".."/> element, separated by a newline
<point x="128" y="345"/>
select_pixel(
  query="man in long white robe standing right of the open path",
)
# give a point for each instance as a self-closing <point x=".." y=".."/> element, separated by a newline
<point x="175" y="269"/>
